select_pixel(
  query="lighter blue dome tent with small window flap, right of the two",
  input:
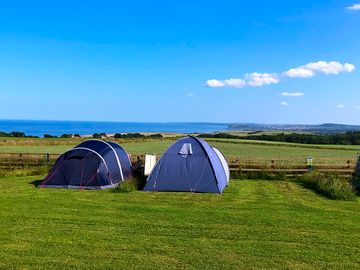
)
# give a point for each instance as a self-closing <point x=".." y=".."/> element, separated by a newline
<point x="190" y="164"/>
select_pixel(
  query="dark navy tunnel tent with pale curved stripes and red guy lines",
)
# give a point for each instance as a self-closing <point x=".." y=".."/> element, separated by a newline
<point x="93" y="164"/>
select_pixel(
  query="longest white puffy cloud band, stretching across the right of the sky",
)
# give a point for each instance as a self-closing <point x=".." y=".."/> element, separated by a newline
<point x="257" y="79"/>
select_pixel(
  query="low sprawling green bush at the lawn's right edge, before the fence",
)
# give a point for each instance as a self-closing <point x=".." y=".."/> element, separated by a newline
<point x="330" y="185"/>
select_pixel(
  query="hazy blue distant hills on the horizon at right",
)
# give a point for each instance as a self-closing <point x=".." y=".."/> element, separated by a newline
<point x="327" y="128"/>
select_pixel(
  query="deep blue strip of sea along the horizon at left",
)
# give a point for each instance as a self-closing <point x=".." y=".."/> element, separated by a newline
<point x="57" y="128"/>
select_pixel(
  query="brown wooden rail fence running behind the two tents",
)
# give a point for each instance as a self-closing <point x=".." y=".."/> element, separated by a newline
<point x="291" y="167"/>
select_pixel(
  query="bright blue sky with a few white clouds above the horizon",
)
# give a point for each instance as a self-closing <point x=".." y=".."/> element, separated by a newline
<point x="292" y="61"/>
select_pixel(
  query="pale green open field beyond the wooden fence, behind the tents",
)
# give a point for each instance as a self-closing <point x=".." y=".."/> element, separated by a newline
<point x="230" y="148"/>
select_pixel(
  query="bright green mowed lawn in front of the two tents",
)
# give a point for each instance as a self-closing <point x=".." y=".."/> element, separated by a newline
<point x="254" y="225"/>
